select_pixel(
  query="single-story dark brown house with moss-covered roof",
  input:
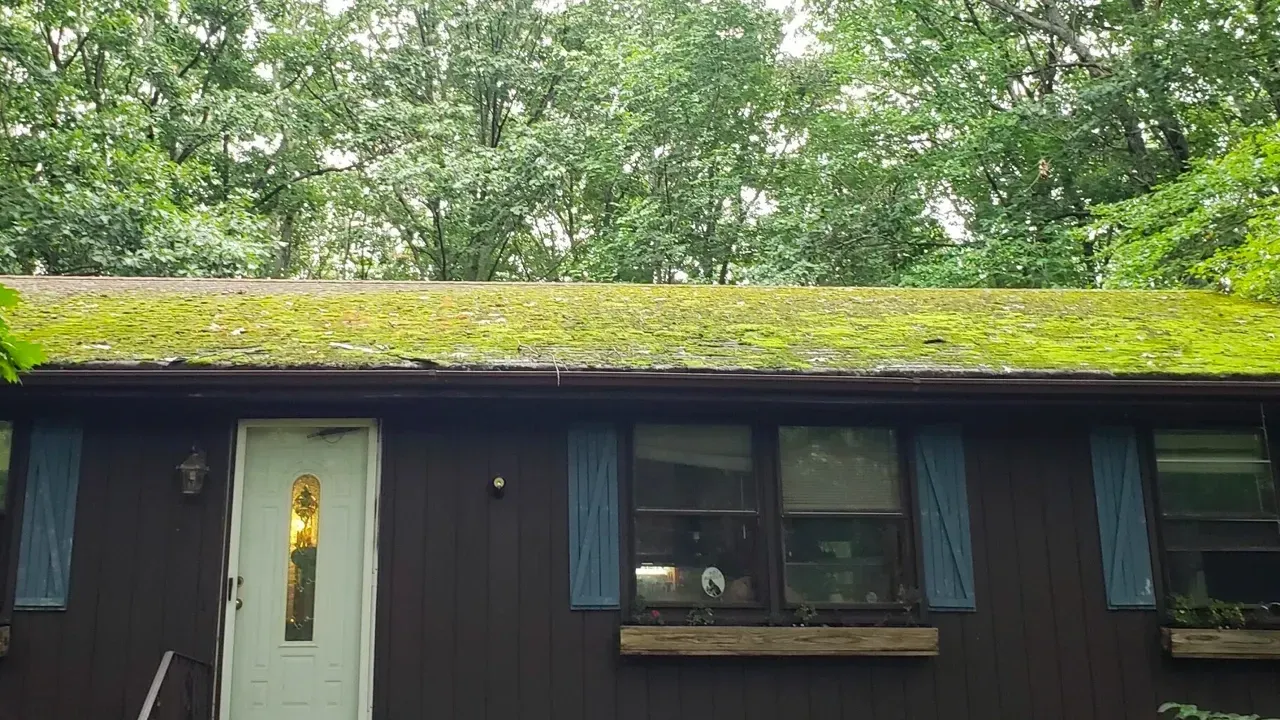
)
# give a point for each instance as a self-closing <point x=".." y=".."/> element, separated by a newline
<point x="257" y="499"/>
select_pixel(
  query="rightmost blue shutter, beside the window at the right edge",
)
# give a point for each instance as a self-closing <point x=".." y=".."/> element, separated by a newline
<point x="1122" y="520"/>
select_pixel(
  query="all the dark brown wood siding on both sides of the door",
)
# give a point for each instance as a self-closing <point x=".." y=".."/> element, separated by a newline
<point x="474" y="621"/>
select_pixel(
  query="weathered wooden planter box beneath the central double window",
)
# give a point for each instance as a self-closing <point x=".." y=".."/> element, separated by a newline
<point x="776" y="642"/>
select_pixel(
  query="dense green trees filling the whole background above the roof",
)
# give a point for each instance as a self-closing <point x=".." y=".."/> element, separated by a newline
<point x="916" y="143"/>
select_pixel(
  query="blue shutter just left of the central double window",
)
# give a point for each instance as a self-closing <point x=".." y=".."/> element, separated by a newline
<point x="593" y="518"/>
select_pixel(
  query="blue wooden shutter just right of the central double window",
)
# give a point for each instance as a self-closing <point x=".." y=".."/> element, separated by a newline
<point x="945" y="518"/>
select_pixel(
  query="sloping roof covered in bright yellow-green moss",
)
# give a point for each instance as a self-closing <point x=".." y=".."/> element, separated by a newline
<point x="84" y="322"/>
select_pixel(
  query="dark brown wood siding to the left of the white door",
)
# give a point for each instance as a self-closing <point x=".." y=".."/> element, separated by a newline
<point x="147" y="569"/>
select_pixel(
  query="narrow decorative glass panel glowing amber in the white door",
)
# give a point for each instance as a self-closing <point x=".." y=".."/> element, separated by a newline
<point x="304" y="545"/>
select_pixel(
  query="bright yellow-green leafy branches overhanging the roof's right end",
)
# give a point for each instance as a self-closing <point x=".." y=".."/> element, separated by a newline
<point x="1217" y="225"/>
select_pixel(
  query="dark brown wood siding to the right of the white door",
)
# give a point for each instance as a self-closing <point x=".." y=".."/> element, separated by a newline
<point x="476" y="622"/>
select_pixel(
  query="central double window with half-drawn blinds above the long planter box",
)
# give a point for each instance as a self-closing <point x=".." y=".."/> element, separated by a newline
<point x="710" y="520"/>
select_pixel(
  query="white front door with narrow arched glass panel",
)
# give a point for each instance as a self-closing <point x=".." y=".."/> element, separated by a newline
<point x="300" y="609"/>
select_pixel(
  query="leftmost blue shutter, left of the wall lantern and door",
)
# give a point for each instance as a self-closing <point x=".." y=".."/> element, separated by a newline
<point x="49" y="517"/>
